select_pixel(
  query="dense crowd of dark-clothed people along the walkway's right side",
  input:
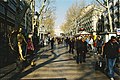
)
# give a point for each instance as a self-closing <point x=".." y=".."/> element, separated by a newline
<point x="109" y="51"/>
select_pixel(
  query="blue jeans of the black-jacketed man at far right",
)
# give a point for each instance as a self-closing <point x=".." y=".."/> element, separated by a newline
<point x="111" y="64"/>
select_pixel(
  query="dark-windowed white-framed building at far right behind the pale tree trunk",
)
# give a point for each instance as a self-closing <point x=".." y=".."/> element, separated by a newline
<point x="103" y="24"/>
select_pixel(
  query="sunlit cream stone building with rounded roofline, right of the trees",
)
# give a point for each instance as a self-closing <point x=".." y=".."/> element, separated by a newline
<point x="87" y="20"/>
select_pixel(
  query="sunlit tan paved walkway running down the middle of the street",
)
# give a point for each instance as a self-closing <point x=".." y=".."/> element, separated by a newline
<point x="60" y="65"/>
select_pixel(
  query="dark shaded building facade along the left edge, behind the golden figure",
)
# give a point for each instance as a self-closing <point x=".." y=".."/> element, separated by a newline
<point x="8" y="21"/>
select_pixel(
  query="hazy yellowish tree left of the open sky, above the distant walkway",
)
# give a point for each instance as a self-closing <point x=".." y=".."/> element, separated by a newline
<point x="48" y="16"/>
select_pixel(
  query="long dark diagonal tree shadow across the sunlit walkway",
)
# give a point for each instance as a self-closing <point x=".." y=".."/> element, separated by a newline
<point x="22" y="74"/>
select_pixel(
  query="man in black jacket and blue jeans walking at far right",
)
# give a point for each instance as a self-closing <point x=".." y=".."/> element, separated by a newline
<point x="111" y="51"/>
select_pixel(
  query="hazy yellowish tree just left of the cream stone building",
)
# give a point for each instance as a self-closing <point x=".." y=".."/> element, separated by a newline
<point x="72" y="14"/>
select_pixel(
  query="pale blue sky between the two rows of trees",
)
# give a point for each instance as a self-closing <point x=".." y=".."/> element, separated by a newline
<point x="61" y="8"/>
